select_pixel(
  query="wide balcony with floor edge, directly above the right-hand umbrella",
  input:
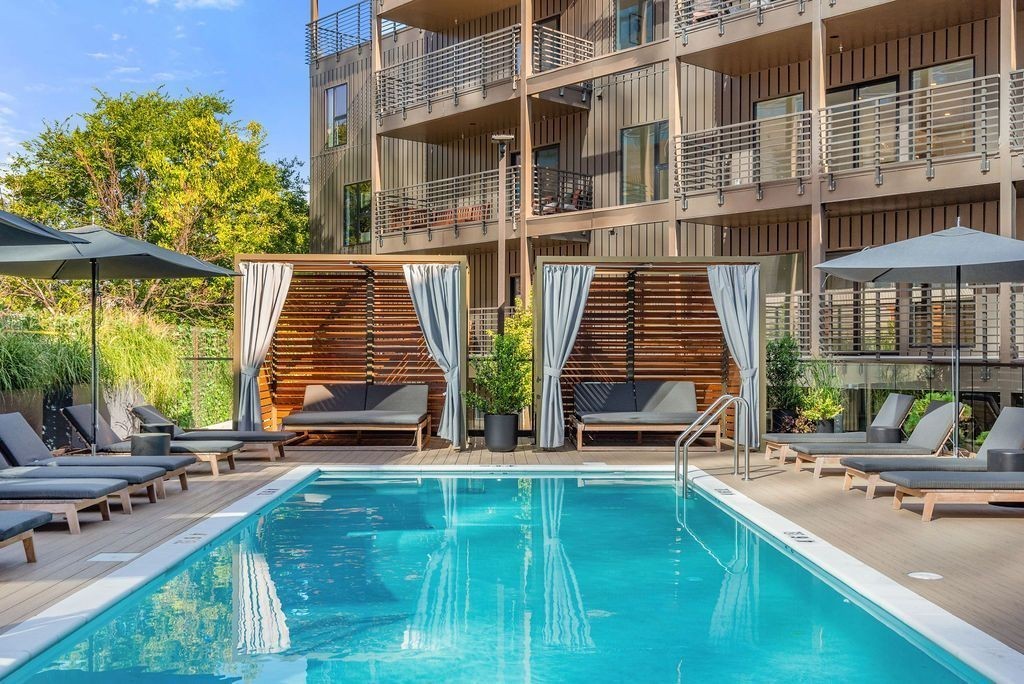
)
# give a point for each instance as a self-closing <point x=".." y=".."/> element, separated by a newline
<point x="928" y="140"/>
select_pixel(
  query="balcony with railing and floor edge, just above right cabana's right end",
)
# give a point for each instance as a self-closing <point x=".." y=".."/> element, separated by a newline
<point x="751" y="166"/>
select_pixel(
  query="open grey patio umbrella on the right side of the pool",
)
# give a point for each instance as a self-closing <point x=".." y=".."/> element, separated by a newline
<point x="956" y="255"/>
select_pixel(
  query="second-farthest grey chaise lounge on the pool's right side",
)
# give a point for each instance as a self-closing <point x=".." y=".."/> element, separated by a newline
<point x="928" y="439"/>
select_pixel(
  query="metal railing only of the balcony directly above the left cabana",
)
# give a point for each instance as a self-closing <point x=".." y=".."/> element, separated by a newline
<point x="446" y="204"/>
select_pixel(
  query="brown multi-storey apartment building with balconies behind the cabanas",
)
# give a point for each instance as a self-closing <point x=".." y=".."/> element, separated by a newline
<point x="798" y="130"/>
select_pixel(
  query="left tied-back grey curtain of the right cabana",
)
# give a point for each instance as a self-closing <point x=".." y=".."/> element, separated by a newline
<point x="566" y="290"/>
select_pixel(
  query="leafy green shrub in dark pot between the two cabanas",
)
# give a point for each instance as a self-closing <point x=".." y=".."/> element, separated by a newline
<point x="503" y="382"/>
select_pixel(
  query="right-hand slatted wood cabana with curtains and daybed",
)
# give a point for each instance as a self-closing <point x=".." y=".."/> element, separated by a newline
<point x="634" y="334"/>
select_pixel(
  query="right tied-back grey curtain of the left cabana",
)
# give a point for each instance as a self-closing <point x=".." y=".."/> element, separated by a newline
<point x="437" y="292"/>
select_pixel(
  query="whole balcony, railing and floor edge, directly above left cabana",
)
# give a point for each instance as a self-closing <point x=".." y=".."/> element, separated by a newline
<point x="443" y="213"/>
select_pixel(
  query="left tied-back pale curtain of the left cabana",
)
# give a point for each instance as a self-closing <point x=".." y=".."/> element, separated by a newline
<point x="265" y="287"/>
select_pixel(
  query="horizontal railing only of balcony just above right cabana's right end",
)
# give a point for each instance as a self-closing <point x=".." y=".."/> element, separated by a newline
<point x="745" y="154"/>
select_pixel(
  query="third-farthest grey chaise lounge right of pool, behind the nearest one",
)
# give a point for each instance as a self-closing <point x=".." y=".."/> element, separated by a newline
<point x="1008" y="433"/>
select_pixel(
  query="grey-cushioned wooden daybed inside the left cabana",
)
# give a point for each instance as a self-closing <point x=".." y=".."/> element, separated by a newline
<point x="358" y="407"/>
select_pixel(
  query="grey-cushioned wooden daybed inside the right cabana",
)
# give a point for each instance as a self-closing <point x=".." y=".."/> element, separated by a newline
<point x="641" y="406"/>
